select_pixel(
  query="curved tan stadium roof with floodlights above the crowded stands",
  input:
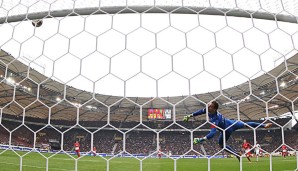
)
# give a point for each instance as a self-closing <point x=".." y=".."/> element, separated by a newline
<point x="273" y="93"/>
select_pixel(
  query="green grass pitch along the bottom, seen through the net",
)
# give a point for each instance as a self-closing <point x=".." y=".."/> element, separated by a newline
<point x="10" y="161"/>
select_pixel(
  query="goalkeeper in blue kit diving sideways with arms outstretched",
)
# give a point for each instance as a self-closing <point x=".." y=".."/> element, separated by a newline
<point x="218" y="120"/>
